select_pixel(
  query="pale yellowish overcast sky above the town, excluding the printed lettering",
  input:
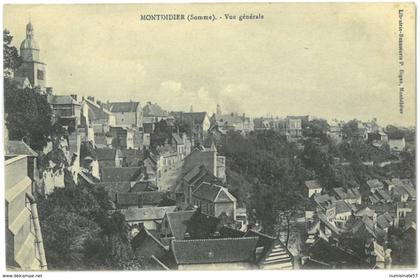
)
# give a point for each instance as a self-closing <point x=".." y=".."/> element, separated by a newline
<point x="326" y="60"/>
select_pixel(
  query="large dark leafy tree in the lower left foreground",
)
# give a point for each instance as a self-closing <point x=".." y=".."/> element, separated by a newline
<point x="81" y="233"/>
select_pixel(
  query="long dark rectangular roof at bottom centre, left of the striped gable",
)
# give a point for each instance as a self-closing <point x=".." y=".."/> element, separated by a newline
<point x="207" y="251"/>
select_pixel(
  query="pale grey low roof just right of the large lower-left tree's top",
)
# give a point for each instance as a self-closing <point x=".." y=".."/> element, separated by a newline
<point x="146" y="214"/>
